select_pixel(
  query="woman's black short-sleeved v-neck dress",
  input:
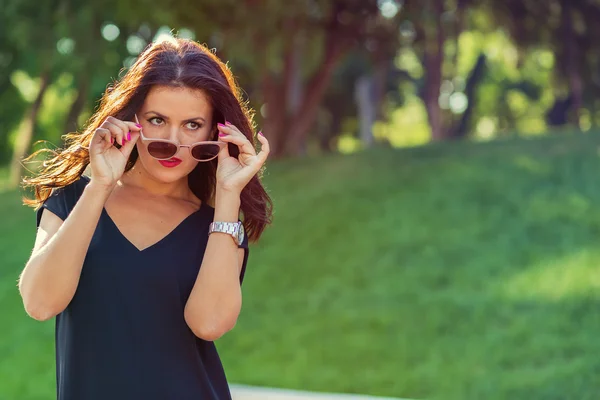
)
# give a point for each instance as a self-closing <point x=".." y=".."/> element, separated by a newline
<point x="123" y="335"/>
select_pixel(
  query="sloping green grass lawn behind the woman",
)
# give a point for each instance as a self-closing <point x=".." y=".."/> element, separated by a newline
<point x="454" y="271"/>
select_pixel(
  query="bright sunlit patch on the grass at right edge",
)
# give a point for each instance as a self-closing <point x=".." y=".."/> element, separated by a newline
<point x="576" y="275"/>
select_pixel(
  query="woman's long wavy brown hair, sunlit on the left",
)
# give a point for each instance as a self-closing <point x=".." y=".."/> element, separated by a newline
<point x="178" y="63"/>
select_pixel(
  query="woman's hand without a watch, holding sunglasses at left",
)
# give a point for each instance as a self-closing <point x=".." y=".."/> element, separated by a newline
<point x="107" y="161"/>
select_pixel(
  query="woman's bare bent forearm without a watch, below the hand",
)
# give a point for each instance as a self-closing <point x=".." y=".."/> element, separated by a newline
<point x="50" y="278"/>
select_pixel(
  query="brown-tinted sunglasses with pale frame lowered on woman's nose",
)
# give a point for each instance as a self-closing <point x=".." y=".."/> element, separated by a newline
<point x="163" y="149"/>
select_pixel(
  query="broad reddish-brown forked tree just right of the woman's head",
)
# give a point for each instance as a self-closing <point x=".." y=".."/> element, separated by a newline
<point x="291" y="55"/>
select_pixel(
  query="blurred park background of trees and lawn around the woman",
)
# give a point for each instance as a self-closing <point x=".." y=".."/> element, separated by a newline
<point x="434" y="172"/>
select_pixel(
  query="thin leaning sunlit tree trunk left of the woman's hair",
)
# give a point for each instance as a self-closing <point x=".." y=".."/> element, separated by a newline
<point x="26" y="131"/>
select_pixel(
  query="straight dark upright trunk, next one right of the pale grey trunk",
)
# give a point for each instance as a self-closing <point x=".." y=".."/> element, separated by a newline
<point x="434" y="57"/>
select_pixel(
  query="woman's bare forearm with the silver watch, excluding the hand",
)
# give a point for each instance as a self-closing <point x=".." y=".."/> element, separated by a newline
<point x="216" y="299"/>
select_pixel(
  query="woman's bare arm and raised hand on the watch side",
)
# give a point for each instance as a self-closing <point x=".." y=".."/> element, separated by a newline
<point x="216" y="299"/>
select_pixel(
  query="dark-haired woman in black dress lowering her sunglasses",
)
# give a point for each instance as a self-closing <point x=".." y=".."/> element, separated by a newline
<point x="128" y="260"/>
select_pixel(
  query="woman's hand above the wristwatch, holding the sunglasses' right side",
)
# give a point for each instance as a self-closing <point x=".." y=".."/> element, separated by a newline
<point x="233" y="174"/>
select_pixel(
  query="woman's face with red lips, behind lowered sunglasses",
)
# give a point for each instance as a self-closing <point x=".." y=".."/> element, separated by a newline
<point x="181" y="115"/>
